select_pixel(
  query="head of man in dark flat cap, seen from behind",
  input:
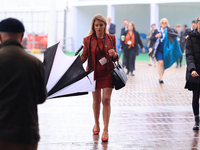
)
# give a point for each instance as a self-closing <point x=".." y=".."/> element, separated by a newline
<point x="11" y="28"/>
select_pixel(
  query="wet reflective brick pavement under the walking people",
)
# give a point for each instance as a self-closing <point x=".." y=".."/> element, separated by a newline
<point x="145" y="116"/>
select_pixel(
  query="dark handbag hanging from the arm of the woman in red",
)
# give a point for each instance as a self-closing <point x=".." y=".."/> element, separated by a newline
<point x="119" y="77"/>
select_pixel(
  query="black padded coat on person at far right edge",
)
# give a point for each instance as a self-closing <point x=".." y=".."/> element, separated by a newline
<point x="192" y="58"/>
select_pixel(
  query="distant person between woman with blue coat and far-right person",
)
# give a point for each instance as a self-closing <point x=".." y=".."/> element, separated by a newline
<point x="181" y="40"/>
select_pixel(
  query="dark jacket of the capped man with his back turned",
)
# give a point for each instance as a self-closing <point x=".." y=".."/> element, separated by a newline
<point x="22" y="88"/>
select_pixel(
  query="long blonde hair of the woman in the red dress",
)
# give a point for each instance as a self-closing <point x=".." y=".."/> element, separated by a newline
<point x="100" y="18"/>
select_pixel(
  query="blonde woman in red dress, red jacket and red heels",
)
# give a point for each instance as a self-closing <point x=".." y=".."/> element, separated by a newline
<point x="100" y="51"/>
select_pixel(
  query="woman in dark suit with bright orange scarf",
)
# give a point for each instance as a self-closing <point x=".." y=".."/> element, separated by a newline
<point x="130" y="46"/>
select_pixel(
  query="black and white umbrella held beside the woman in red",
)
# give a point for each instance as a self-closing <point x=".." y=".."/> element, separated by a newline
<point x="65" y="75"/>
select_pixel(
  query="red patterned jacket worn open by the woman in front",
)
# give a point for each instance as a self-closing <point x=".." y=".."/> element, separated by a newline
<point x="90" y="45"/>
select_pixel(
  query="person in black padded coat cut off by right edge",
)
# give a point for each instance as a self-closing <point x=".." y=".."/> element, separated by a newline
<point x="193" y="69"/>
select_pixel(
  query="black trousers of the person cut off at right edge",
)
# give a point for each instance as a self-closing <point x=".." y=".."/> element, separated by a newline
<point x="195" y="102"/>
